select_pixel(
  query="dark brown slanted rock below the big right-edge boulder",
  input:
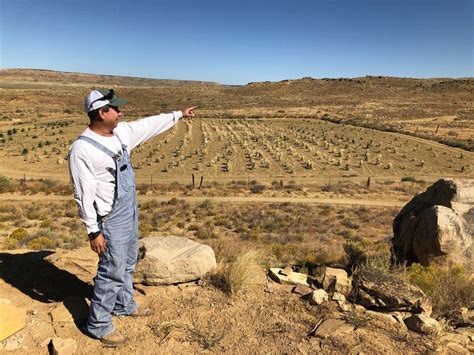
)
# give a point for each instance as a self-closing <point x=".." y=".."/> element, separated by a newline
<point x="376" y="290"/>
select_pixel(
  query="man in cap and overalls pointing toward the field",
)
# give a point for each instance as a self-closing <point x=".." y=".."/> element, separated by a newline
<point x="104" y="189"/>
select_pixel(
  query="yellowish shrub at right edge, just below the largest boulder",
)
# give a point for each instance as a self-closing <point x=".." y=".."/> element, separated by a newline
<point x="450" y="288"/>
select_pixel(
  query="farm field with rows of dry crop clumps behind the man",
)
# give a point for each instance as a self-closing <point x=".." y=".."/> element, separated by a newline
<point x="233" y="149"/>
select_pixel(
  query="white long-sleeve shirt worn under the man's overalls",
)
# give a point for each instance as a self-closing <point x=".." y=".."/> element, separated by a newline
<point x="93" y="171"/>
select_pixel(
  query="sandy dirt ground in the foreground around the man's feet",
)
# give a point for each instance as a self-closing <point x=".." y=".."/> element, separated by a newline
<point x="266" y="318"/>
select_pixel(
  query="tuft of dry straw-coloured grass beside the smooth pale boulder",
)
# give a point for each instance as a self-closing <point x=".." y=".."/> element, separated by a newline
<point x="235" y="277"/>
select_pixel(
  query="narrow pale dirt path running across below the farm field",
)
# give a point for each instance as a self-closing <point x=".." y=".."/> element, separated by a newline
<point x="224" y="199"/>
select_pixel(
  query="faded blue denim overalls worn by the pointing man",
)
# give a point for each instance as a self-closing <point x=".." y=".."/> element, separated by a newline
<point x="113" y="287"/>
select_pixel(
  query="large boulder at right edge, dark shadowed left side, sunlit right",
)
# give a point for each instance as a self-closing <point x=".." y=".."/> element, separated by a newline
<point x="437" y="226"/>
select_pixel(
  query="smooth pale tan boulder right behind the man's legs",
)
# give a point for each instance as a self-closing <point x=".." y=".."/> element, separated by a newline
<point x="171" y="260"/>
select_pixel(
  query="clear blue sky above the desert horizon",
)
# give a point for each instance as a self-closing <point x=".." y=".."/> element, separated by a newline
<point x="236" y="42"/>
